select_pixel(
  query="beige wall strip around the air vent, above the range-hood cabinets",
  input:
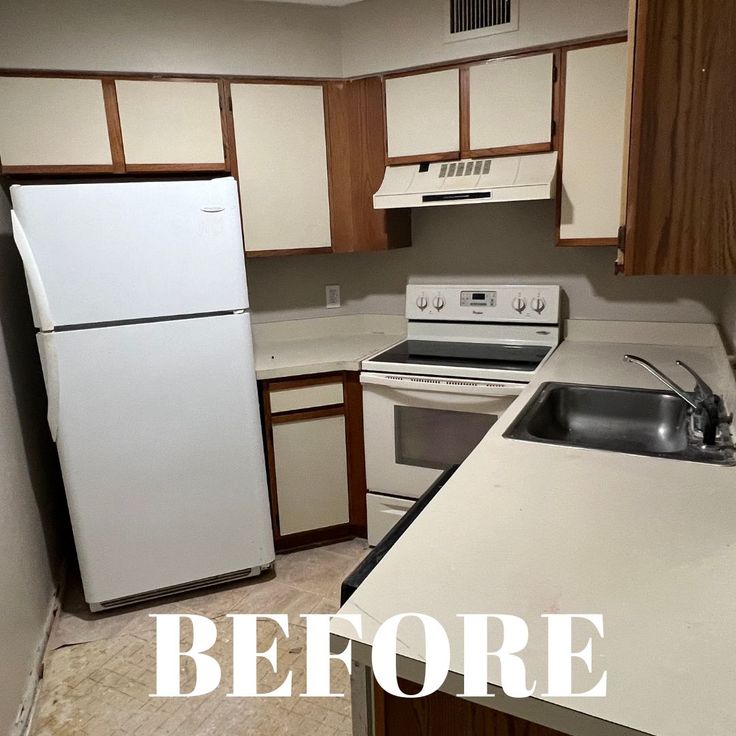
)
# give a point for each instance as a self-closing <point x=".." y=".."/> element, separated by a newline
<point x="379" y="35"/>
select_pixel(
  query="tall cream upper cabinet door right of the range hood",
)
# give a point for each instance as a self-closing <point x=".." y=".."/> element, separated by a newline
<point x="592" y="144"/>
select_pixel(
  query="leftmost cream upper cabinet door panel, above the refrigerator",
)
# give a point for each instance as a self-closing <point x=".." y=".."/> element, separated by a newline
<point x="53" y="122"/>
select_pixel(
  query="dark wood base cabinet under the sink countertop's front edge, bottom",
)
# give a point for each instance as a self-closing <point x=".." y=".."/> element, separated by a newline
<point x="441" y="714"/>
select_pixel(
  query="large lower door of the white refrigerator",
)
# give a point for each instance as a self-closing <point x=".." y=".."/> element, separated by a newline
<point x="161" y="450"/>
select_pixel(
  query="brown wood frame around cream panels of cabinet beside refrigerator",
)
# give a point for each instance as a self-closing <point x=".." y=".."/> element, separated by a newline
<point x="352" y="409"/>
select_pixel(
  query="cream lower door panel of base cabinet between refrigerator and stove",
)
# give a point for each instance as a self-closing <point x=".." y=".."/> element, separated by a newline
<point x="311" y="474"/>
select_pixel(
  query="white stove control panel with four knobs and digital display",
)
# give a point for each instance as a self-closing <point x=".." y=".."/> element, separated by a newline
<point x="459" y="303"/>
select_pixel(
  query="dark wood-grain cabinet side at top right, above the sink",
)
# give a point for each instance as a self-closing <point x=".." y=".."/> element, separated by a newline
<point x="681" y="210"/>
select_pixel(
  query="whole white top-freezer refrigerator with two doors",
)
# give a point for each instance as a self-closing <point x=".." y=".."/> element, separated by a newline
<point x="139" y="294"/>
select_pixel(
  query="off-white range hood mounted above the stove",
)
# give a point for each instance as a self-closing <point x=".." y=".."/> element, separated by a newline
<point x="471" y="181"/>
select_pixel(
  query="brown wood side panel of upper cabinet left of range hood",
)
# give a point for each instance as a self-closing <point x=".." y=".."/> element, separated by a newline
<point x="355" y="145"/>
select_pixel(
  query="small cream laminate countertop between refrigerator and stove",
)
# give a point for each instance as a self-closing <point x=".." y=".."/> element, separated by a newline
<point x="322" y="345"/>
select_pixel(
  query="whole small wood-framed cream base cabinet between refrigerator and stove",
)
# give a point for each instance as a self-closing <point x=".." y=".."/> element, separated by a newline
<point x="314" y="443"/>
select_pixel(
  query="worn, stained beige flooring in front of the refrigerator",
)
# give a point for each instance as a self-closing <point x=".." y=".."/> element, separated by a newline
<point x="99" y="669"/>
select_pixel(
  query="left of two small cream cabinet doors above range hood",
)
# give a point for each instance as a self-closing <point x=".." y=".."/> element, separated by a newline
<point x="423" y="113"/>
